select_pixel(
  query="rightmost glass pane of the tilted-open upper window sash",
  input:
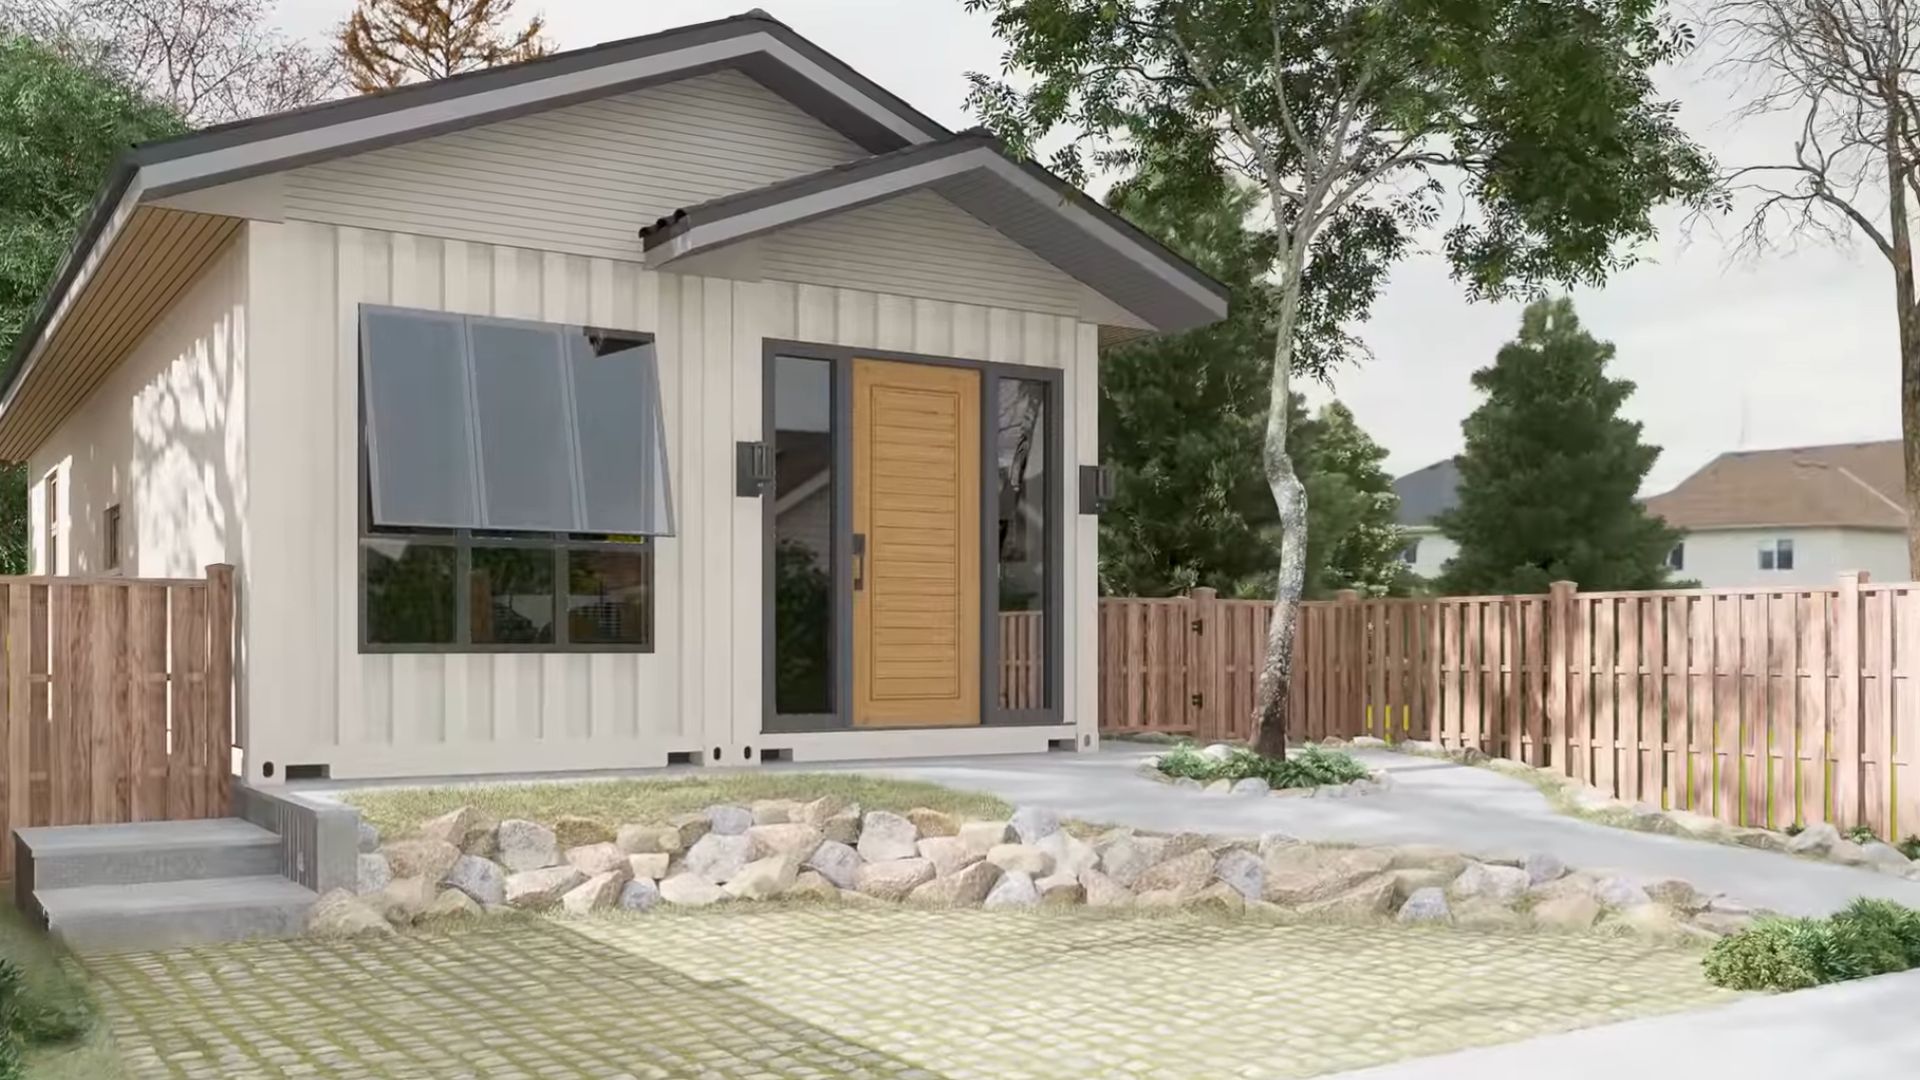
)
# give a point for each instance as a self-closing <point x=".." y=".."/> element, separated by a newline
<point x="623" y="453"/>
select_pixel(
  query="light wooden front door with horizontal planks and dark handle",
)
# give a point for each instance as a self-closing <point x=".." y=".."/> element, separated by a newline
<point x="917" y="545"/>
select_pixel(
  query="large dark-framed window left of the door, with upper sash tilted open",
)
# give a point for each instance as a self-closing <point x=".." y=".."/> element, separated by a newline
<point x="516" y="476"/>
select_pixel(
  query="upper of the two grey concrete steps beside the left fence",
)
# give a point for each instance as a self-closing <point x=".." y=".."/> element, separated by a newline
<point x="145" y="852"/>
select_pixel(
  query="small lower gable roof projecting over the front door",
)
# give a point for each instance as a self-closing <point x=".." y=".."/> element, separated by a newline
<point x="972" y="170"/>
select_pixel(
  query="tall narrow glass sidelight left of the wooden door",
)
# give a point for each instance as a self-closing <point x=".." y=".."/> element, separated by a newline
<point x="804" y="537"/>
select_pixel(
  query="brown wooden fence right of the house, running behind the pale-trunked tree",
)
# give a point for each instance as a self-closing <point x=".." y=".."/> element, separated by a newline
<point x="1760" y="706"/>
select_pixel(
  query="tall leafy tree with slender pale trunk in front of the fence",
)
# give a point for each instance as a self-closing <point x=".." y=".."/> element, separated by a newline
<point x="1358" y="120"/>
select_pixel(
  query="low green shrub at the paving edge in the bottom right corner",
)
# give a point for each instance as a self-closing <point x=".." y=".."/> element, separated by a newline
<point x="1871" y="937"/>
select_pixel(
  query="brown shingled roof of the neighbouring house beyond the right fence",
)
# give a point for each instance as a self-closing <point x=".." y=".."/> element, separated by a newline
<point x="1852" y="485"/>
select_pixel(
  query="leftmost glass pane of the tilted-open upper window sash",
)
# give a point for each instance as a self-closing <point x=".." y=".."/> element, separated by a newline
<point x="416" y="401"/>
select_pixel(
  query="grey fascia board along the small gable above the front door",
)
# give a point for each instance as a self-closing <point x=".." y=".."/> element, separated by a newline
<point x="754" y="218"/>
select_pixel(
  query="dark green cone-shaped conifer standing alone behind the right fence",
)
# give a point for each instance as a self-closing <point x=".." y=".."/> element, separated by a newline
<point x="1550" y="474"/>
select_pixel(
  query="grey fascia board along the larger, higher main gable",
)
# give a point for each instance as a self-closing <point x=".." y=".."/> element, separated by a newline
<point x="172" y="174"/>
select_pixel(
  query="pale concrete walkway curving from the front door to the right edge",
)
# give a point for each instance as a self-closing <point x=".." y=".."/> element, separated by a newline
<point x="1433" y="802"/>
